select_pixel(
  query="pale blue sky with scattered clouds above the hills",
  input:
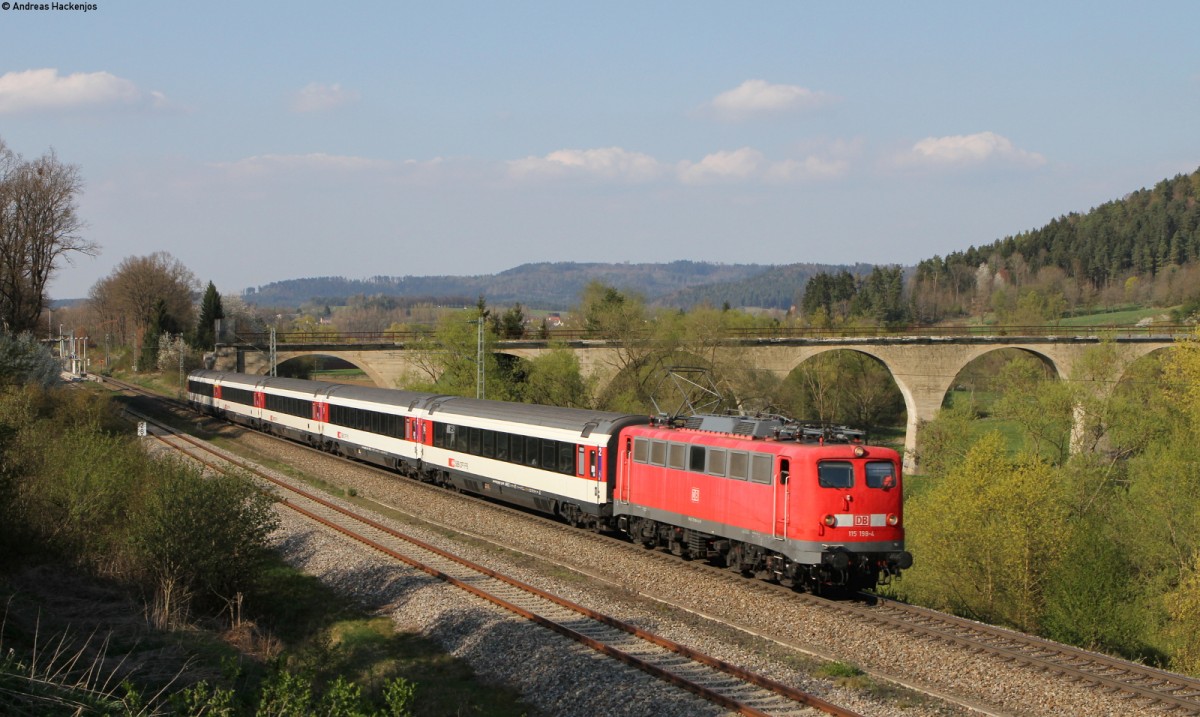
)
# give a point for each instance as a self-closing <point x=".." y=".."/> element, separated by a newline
<point x="260" y="142"/>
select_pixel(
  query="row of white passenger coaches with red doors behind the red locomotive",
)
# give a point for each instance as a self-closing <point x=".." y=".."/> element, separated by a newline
<point x="557" y="461"/>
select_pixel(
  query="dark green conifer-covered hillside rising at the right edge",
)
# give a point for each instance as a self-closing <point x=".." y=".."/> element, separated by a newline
<point x="1138" y="236"/>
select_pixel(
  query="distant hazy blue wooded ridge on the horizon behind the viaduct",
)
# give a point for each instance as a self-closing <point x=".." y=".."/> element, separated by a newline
<point x="553" y="286"/>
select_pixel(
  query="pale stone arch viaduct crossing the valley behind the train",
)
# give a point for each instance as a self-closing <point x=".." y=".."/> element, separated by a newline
<point x="923" y="367"/>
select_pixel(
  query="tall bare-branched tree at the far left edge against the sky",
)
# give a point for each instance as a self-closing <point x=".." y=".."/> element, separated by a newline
<point x="39" y="227"/>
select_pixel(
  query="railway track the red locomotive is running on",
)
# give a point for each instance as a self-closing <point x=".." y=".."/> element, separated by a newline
<point x="1142" y="685"/>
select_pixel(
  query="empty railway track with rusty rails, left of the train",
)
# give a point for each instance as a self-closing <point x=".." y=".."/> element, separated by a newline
<point x="724" y="684"/>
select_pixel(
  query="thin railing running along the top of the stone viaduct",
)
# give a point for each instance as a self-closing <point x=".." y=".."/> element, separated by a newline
<point x="401" y="339"/>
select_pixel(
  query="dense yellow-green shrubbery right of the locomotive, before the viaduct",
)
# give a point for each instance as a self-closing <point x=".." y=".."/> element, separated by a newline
<point x="1090" y="534"/>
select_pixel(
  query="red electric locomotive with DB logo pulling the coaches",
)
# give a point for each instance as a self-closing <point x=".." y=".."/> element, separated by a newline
<point x="812" y="507"/>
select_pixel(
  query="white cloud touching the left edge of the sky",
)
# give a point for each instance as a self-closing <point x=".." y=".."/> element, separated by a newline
<point x="46" y="91"/>
